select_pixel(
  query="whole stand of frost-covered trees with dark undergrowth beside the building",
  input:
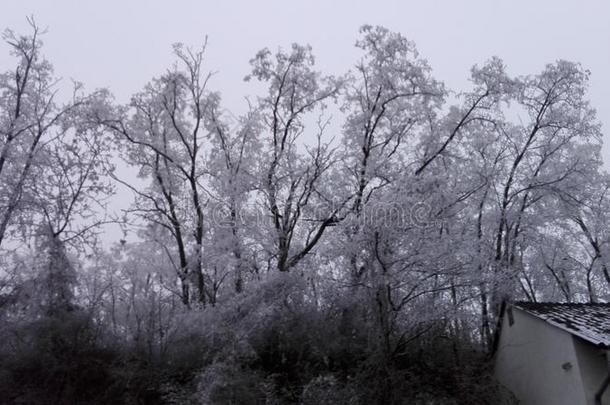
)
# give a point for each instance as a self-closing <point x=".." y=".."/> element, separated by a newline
<point x="348" y="239"/>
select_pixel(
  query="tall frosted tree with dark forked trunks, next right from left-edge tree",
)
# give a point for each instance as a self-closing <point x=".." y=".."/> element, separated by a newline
<point x="164" y="130"/>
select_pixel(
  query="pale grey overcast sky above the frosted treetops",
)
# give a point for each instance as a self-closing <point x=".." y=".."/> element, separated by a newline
<point x="121" y="44"/>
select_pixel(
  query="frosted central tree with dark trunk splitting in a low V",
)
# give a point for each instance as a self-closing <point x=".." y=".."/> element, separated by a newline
<point x="293" y="175"/>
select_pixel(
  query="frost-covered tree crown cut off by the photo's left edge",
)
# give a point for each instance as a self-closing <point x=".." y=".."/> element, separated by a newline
<point x="49" y="159"/>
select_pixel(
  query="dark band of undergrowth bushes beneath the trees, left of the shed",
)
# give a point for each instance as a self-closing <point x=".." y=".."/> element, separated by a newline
<point x="271" y="345"/>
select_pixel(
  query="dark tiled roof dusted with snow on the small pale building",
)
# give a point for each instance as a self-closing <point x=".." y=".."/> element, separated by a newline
<point x="590" y="322"/>
